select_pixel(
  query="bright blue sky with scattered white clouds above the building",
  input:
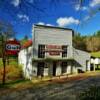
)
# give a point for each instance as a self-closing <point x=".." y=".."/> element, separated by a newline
<point x="63" y="14"/>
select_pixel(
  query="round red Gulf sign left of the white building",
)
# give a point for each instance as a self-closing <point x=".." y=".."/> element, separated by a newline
<point x="12" y="47"/>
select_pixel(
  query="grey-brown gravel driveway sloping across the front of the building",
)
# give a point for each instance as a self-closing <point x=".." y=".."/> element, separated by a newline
<point x="66" y="90"/>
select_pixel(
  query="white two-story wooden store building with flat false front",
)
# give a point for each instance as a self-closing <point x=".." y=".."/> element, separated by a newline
<point x="52" y="53"/>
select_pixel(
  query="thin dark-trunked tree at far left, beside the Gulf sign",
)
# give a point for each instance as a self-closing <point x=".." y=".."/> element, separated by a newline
<point x="6" y="31"/>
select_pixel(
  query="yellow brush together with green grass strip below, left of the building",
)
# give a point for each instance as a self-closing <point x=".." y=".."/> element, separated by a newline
<point x="14" y="78"/>
